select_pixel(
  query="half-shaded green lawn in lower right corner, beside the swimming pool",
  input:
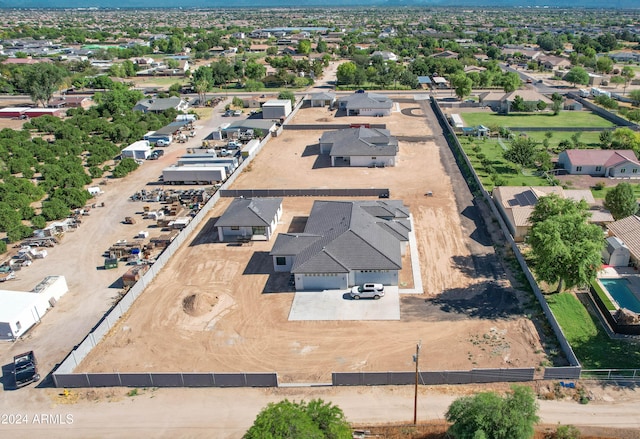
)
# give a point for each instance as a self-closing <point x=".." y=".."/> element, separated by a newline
<point x="589" y="341"/>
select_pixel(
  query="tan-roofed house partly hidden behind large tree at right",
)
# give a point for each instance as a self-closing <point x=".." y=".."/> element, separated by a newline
<point x="516" y="203"/>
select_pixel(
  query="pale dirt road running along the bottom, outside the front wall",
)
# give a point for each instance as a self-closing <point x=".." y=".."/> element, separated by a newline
<point x="228" y="413"/>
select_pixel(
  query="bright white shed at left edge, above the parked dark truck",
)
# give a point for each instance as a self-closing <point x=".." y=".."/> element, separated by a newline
<point x="20" y="310"/>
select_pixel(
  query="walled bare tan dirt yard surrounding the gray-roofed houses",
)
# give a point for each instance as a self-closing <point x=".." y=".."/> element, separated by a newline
<point x="215" y="308"/>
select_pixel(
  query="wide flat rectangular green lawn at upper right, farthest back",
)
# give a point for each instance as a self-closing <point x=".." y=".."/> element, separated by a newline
<point x="564" y="119"/>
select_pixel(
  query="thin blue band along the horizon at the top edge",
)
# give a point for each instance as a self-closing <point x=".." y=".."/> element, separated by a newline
<point x="301" y="3"/>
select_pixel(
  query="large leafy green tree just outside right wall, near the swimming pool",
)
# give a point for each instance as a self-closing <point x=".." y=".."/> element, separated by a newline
<point x="564" y="246"/>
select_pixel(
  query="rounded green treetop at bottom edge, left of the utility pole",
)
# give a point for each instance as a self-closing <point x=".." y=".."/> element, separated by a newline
<point x="291" y="420"/>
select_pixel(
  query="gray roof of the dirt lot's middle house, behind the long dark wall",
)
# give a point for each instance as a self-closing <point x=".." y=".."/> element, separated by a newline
<point x="360" y="141"/>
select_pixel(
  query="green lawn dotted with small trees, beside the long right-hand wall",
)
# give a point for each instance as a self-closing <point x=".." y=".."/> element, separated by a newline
<point x="506" y="170"/>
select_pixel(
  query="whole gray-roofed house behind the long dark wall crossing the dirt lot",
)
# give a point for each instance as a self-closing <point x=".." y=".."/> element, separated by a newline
<point x="368" y="147"/>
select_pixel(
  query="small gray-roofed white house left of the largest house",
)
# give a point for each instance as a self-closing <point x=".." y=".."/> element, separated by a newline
<point x="251" y="219"/>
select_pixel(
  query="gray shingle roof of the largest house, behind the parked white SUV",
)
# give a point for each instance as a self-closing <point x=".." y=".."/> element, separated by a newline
<point x="341" y="236"/>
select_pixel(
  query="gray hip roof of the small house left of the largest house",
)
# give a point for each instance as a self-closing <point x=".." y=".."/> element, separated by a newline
<point x="250" y="212"/>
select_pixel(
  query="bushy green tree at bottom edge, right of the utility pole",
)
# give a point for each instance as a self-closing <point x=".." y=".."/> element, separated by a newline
<point x="488" y="415"/>
